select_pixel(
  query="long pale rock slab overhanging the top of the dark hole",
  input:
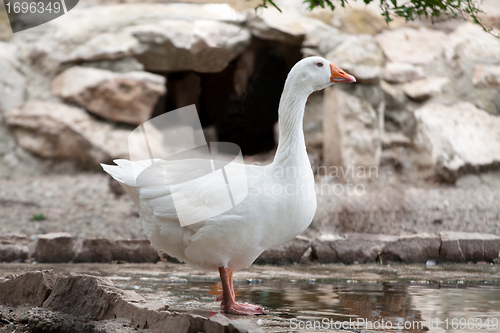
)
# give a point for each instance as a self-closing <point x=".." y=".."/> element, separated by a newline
<point x="191" y="31"/>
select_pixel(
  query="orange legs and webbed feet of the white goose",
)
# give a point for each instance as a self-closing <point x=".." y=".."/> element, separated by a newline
<point x="228" y="302"/>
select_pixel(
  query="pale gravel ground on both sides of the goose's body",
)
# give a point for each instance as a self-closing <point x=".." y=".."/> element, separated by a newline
<point x="84" y="206"/>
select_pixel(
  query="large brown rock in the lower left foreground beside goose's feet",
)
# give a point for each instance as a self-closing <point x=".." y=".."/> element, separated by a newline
<point x="74" y="303"/>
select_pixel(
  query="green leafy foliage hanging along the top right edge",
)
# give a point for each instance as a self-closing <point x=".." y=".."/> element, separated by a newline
<point x="436" y="10"/>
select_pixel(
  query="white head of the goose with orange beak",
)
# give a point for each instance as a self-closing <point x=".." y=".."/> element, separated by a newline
<point x="317" y="73"/>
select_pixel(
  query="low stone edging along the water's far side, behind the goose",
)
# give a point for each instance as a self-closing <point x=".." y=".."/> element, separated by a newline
<point x="351" y="248"/>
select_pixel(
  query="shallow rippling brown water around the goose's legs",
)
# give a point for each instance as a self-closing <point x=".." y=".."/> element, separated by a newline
<point x="442" y="298"/>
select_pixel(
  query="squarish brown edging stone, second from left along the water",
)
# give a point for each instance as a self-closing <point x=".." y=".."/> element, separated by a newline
<point x="54" y="247"/>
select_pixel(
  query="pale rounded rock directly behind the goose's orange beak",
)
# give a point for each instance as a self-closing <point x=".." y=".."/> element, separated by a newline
<point x="359" y="56"/>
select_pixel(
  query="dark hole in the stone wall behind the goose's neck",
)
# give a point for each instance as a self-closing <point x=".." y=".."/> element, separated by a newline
<point x="240" y="103"/>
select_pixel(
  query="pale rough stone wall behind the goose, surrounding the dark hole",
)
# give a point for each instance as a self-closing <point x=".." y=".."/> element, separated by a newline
<point x="427" y="101"/>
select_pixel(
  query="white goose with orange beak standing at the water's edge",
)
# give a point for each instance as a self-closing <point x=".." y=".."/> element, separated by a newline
<point x="280" y="204"/>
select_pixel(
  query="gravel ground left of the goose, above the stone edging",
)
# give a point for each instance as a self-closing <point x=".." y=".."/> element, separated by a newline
<point x="82" y="205"/>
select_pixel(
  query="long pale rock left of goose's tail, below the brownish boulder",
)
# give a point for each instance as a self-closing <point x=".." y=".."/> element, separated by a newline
<point x="62" y="132"/>
